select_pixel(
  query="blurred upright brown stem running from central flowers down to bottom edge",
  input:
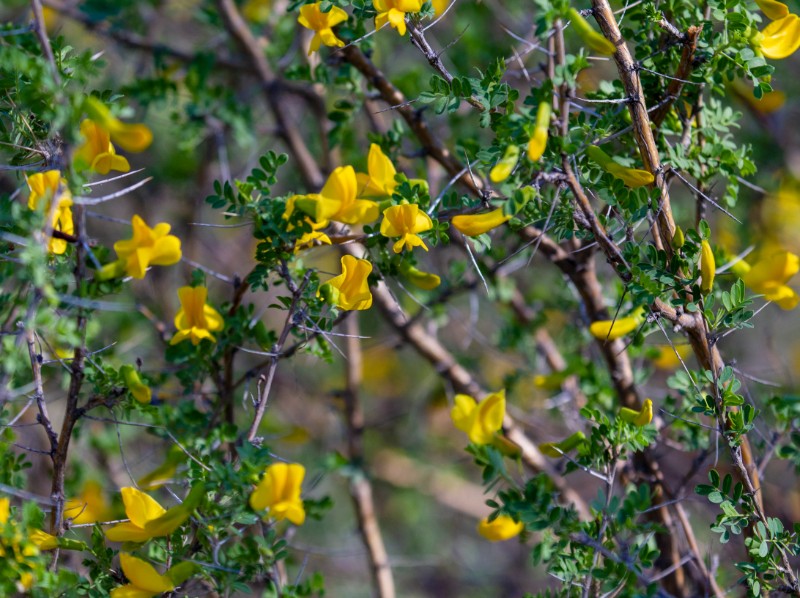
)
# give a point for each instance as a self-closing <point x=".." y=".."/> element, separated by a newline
<point x="360" y="487"/>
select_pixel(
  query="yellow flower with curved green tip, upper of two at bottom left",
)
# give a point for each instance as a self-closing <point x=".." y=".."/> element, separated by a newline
<point x="148" y="519"/>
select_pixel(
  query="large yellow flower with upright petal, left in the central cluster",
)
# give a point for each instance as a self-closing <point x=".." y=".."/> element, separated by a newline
<point x="337" y="200"/>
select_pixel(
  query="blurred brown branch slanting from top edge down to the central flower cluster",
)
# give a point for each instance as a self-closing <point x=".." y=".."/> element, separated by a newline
<point x="239" y="29"/>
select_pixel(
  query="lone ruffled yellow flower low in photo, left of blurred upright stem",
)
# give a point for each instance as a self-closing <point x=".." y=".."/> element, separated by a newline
<point x="279" y="492"/>
